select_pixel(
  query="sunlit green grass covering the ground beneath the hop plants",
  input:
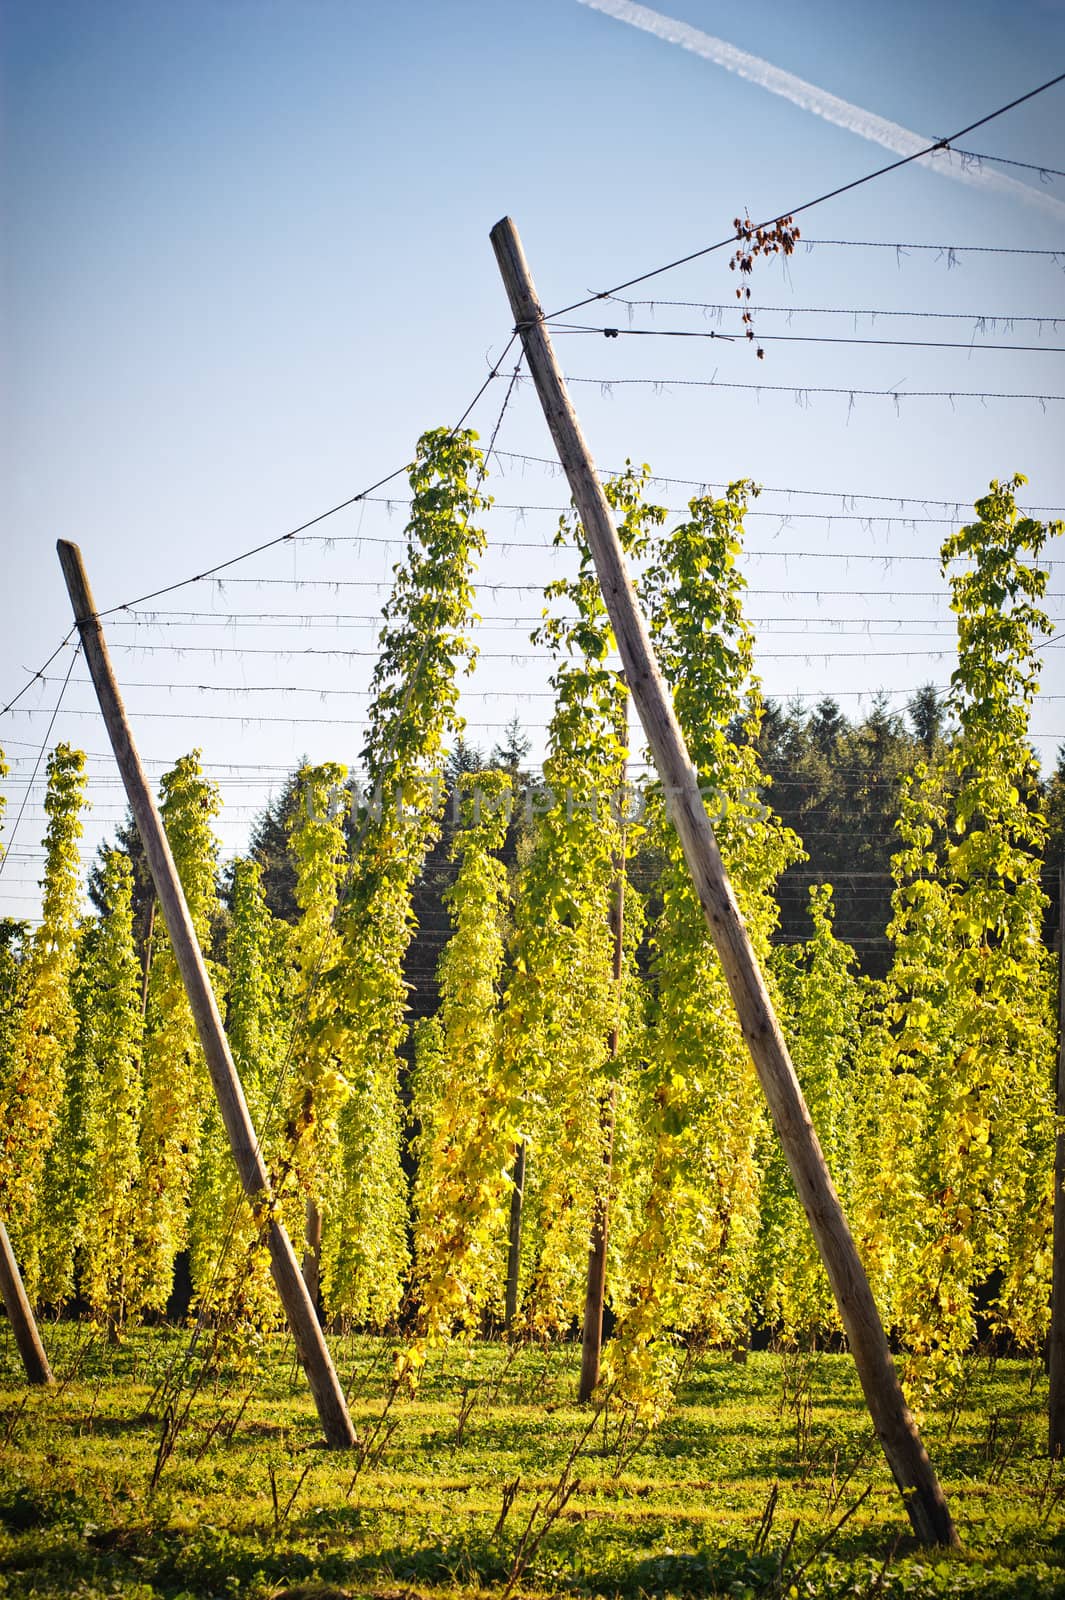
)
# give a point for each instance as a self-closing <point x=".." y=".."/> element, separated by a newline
<point x="735" y="1495"/>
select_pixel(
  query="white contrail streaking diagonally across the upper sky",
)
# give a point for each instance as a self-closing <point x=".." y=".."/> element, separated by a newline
<point x="820" y="102"/>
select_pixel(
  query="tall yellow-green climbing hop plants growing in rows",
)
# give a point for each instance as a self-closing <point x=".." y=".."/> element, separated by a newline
<point x="481" y="1022"/>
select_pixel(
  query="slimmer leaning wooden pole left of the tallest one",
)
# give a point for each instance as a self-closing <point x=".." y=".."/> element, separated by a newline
<point x="311" y="1346"/>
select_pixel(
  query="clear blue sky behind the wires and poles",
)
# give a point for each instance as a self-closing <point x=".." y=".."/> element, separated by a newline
<point x="247" y="263"/>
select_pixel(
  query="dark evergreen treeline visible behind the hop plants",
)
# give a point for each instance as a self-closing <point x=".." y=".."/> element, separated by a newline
<point x="836" y="780"/>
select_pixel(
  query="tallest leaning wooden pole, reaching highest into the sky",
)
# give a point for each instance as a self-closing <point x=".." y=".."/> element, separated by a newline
<point x="895" y="1425"/>
